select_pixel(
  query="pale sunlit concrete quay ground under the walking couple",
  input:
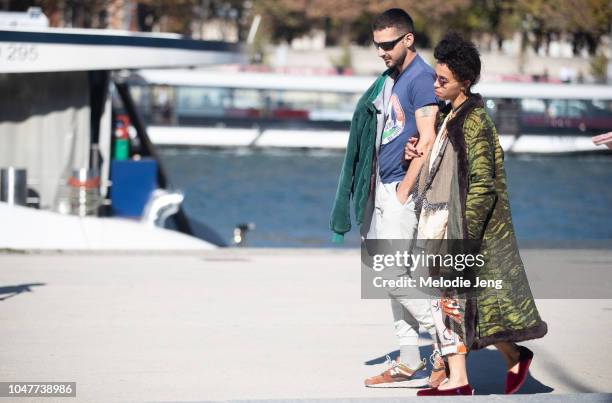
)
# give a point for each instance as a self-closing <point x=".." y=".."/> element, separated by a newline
<point x="257" y="324"/>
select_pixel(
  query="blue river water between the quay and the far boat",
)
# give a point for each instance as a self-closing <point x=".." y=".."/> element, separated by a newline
<point x="288" y="194"/>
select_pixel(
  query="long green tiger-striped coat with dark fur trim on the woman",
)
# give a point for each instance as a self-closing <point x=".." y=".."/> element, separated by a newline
<point x="479" y="209"/>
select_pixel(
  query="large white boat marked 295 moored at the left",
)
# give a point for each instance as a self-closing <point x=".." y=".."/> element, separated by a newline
<point x="56" y="128"/>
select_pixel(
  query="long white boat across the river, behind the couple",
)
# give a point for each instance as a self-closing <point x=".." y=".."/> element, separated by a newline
<point x="281" y="110"/>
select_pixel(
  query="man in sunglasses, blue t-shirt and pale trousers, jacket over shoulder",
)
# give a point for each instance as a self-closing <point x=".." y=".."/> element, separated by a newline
<point x="381" y="184"/>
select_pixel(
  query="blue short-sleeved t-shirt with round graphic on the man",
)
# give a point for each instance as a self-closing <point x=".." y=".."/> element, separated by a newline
<point x="412" y="90"/>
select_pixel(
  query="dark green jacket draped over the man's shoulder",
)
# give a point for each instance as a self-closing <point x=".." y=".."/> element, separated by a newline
<point x="356" y="174"/>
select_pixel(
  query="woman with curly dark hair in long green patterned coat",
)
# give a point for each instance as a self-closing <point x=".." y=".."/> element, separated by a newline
<point x="462" y="193"/>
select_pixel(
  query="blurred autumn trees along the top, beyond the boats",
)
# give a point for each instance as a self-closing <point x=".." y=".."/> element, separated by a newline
<point x="584" y="23"/>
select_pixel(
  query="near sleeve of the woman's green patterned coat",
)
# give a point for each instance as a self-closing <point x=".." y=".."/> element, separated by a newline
<point x="481" y="194"/>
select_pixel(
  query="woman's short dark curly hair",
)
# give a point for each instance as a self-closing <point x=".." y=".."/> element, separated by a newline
<point x="461" y="57"/>
